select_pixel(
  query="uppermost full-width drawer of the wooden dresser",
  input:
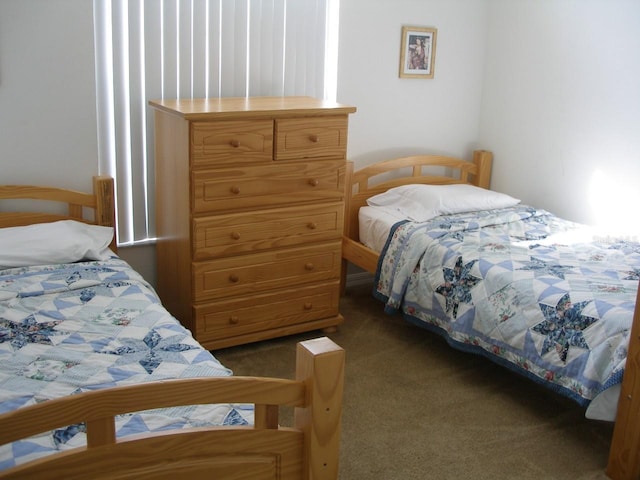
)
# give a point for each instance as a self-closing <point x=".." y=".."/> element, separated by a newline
<point x="263" y="186"/>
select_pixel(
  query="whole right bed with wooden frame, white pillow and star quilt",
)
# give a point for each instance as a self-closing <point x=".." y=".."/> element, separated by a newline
<point x="547" y="298"/>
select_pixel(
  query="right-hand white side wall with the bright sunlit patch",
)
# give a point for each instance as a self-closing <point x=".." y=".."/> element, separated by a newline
<point x="561" y="104"/>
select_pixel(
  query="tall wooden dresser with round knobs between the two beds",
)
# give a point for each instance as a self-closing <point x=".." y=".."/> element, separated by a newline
<point x="249" y="209"/>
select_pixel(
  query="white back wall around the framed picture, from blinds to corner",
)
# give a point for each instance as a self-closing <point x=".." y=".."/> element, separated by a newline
<point x="398" y="116"/>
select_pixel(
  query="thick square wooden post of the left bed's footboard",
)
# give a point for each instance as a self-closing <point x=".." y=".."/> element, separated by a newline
<point x="320" y="365"/>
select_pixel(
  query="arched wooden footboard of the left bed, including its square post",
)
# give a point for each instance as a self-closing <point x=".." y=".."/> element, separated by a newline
<point x="308" y="450"/>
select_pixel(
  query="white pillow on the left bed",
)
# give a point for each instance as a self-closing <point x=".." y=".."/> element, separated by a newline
<point x="65" y="241"/>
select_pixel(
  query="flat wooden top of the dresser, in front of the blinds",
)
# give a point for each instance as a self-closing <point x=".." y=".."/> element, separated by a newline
<point x="203" y="108"/>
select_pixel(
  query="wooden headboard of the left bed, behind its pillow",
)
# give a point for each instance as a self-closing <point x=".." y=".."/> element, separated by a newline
<point x="97" y="208"/>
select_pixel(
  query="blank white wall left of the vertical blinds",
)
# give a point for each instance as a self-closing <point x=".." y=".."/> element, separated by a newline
<point x="47" y="93"/>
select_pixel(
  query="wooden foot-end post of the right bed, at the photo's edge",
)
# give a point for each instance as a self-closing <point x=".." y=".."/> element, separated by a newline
<point x="624" y="455"/>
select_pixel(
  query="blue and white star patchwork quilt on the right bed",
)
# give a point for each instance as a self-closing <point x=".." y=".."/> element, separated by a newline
<point x="546" y="297"/>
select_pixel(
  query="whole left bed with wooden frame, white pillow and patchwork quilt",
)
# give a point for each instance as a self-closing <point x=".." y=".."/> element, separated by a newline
<point x="78" y="324"/>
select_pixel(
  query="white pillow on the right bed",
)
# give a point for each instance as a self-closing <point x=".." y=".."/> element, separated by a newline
<point x="423" y="202"/>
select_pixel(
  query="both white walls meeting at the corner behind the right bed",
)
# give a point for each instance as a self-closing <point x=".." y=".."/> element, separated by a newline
<point x="550" y="86"/>
